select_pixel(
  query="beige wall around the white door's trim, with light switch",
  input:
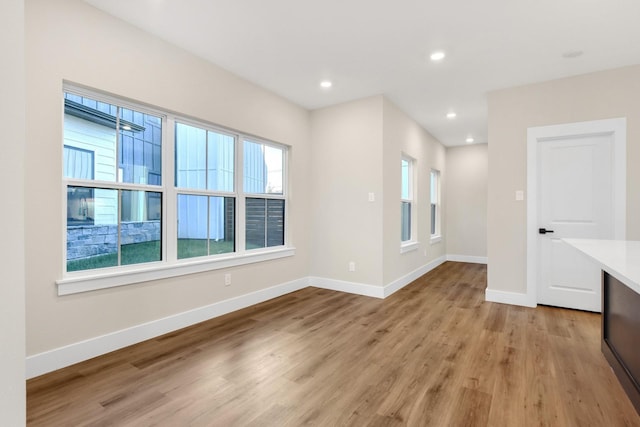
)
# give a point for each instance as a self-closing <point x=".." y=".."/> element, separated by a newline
<point x="601" y="95"/>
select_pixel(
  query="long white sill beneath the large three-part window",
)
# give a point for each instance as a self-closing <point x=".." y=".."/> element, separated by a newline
<point x="103" y="280"/>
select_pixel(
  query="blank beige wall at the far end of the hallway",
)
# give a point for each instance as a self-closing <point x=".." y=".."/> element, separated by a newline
<point x="466" y="200"/>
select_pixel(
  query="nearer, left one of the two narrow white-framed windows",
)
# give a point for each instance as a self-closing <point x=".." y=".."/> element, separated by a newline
<point x="407" y="204"/>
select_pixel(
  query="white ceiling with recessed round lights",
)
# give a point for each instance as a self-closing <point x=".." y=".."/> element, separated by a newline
<point x="368" y="47"/>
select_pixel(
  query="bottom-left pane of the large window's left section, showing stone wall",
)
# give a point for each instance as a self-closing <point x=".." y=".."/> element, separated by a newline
<point x="92" y="228"/>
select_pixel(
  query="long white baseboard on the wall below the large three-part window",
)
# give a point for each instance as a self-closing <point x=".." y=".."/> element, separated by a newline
<point x="49" y="361"/>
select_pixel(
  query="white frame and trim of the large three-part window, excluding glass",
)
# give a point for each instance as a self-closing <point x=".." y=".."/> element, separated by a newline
<point x="171" y="266"/>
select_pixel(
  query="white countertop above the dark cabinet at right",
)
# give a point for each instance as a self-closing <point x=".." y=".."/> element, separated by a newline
<point x="620" y="258"/>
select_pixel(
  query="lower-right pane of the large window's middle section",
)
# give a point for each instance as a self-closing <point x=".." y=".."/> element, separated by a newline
<point x="221" y="225"/>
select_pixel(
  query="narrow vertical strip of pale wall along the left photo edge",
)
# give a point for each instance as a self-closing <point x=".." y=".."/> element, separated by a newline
<point x="12" y="306"/>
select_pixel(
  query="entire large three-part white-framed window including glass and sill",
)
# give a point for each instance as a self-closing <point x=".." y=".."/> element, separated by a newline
<point x="150" y="194"/>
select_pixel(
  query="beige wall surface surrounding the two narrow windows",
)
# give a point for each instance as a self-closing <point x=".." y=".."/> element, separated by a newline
<point x="403" y="135"/>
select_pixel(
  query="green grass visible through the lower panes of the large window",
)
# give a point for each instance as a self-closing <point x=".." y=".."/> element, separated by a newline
<point x="137" y="253"/>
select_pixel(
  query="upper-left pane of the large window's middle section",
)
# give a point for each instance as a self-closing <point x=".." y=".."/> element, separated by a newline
<point x="191" y="149"/>
